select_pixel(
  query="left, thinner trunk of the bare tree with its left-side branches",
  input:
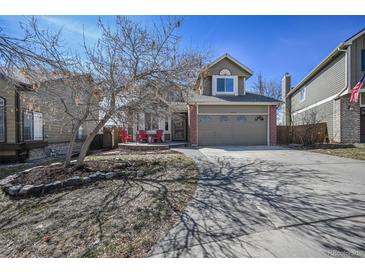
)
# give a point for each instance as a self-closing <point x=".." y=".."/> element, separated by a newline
<point x="53" y="71"/>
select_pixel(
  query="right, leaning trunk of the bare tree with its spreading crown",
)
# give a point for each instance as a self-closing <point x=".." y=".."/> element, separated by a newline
<point x="134" y="66"/>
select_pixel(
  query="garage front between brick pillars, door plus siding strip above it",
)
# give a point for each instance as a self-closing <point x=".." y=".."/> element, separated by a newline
<point x="232" y="125"/>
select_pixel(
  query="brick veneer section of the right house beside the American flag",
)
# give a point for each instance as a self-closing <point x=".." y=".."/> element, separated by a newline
<point x="349" y="121"/>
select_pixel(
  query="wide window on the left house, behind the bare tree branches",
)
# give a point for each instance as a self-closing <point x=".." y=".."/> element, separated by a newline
<point x="32" y="126"/>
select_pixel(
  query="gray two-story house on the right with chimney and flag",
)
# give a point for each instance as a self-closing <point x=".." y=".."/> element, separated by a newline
<point x="323" y="95"/>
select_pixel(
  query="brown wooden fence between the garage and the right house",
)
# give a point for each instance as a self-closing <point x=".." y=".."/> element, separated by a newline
<point x="303" y="134"/>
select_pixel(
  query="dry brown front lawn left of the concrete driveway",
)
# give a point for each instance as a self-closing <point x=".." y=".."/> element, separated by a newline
<point x="114" y="218"/>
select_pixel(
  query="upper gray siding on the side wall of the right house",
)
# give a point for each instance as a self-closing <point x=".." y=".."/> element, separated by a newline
<point x="330" y="81"/>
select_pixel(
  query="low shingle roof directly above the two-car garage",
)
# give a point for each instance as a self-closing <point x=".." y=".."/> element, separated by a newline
<point x="247" y="98"/>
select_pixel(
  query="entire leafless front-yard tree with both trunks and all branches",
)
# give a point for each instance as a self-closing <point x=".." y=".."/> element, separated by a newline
<point x="130" y="69"/>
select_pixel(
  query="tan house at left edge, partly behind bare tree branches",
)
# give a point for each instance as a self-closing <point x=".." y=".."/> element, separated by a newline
<point x="33" y="123"/>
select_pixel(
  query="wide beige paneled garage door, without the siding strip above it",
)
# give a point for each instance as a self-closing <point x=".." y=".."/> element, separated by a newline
<point x="232" y="129"/>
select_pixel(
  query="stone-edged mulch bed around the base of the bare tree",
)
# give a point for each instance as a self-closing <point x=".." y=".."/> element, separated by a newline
<point x="45" y="174"/>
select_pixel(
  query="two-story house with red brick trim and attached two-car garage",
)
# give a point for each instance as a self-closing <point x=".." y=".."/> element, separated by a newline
<point x="221" y="112"/>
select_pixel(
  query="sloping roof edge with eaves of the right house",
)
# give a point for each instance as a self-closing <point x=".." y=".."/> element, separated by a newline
<point x="336" y="52"/>
